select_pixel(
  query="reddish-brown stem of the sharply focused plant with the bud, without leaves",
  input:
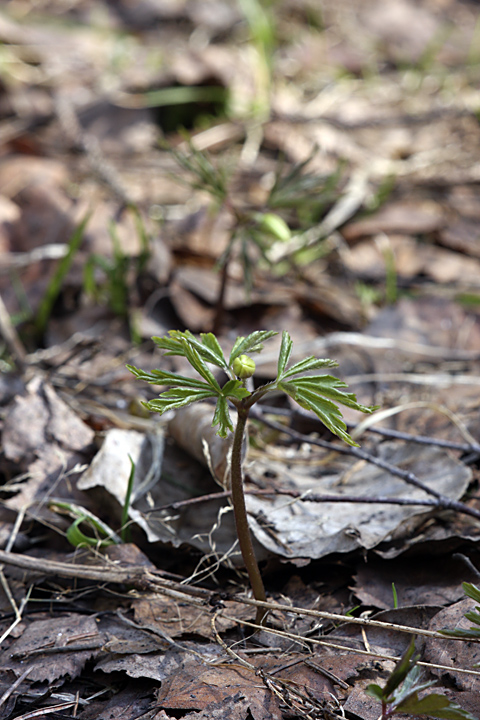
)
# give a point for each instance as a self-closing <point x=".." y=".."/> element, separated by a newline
<point x="240" y="513"/>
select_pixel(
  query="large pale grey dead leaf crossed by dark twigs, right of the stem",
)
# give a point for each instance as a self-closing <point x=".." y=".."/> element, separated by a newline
<point x="300" y="528"/>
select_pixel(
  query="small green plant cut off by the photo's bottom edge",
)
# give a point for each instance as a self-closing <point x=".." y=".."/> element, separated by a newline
<point x="400" y="693"/>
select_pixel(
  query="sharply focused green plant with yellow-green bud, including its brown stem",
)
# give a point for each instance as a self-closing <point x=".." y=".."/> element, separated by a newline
<point x="319" y="393"/>
